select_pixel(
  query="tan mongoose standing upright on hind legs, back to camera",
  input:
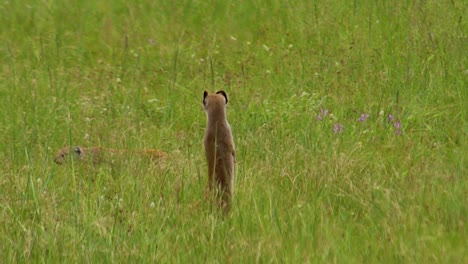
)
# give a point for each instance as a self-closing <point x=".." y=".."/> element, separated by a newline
<point x="219" y="148"/>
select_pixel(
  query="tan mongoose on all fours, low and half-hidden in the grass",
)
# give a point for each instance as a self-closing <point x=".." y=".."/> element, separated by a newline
<point x="96" y="155"/>
